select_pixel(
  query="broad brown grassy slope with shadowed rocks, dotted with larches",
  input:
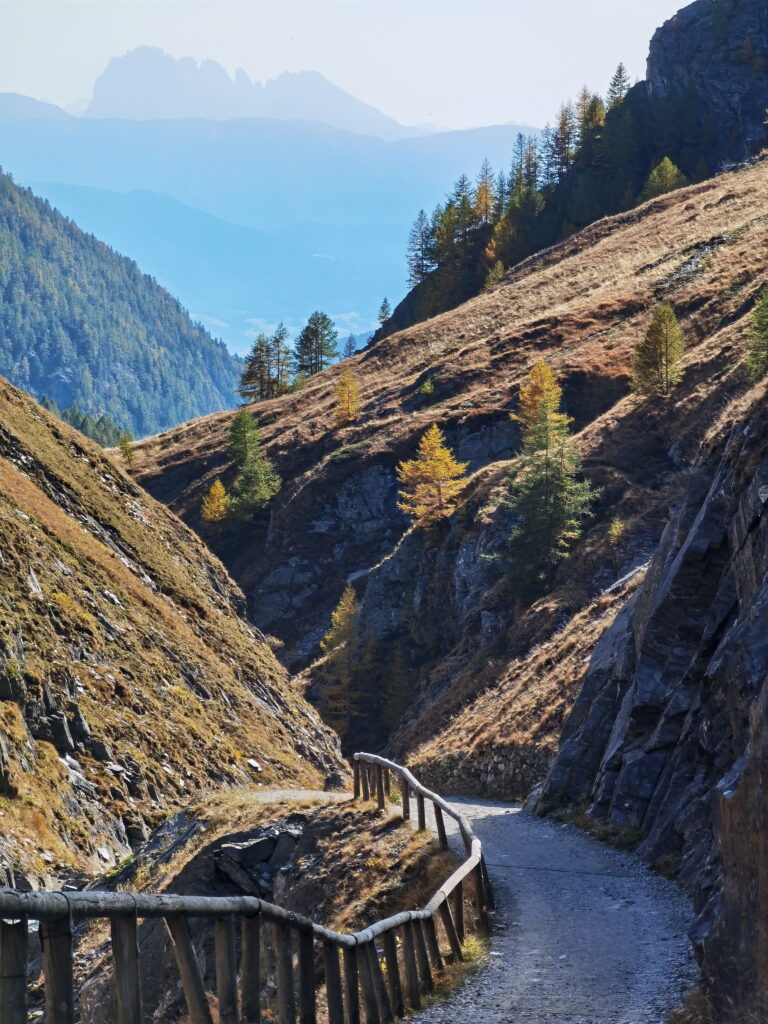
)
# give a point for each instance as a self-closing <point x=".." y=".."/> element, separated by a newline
<point x="442" y="621"/>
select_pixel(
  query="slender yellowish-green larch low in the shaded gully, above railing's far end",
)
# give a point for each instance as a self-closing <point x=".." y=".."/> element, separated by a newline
<point x="340" y="647"/>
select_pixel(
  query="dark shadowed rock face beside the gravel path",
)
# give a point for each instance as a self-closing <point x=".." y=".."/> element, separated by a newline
<point x="668" y="735"/>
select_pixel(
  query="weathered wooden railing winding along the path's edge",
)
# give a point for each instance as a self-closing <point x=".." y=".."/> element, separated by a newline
<point x="382" y="970"/>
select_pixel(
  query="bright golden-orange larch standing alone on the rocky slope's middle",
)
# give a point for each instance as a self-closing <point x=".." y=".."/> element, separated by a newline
<point x="432" y="481"/>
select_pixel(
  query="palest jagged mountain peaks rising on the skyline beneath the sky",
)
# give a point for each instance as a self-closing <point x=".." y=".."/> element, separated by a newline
<point x="149" y="84"/>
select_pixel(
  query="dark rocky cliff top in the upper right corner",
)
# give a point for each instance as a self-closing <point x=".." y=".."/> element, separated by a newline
<point x="713" y="56"/>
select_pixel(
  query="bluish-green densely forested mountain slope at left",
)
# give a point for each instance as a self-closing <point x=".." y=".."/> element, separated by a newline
<point x="82" y="325"/>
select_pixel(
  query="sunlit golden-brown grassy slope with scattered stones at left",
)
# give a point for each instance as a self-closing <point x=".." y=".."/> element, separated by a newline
<point x="129" y="678"/>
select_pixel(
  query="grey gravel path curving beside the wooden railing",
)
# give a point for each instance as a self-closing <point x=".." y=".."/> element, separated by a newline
<point x="583" y="934"/>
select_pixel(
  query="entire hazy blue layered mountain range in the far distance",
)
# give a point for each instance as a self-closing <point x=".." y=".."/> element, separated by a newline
<point x="249" y="221"/>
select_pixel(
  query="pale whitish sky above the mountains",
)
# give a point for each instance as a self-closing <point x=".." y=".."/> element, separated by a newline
<point x="454" y="63"/>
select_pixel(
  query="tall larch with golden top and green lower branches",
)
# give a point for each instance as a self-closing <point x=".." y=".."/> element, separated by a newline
<point x="546" y="497"/>
